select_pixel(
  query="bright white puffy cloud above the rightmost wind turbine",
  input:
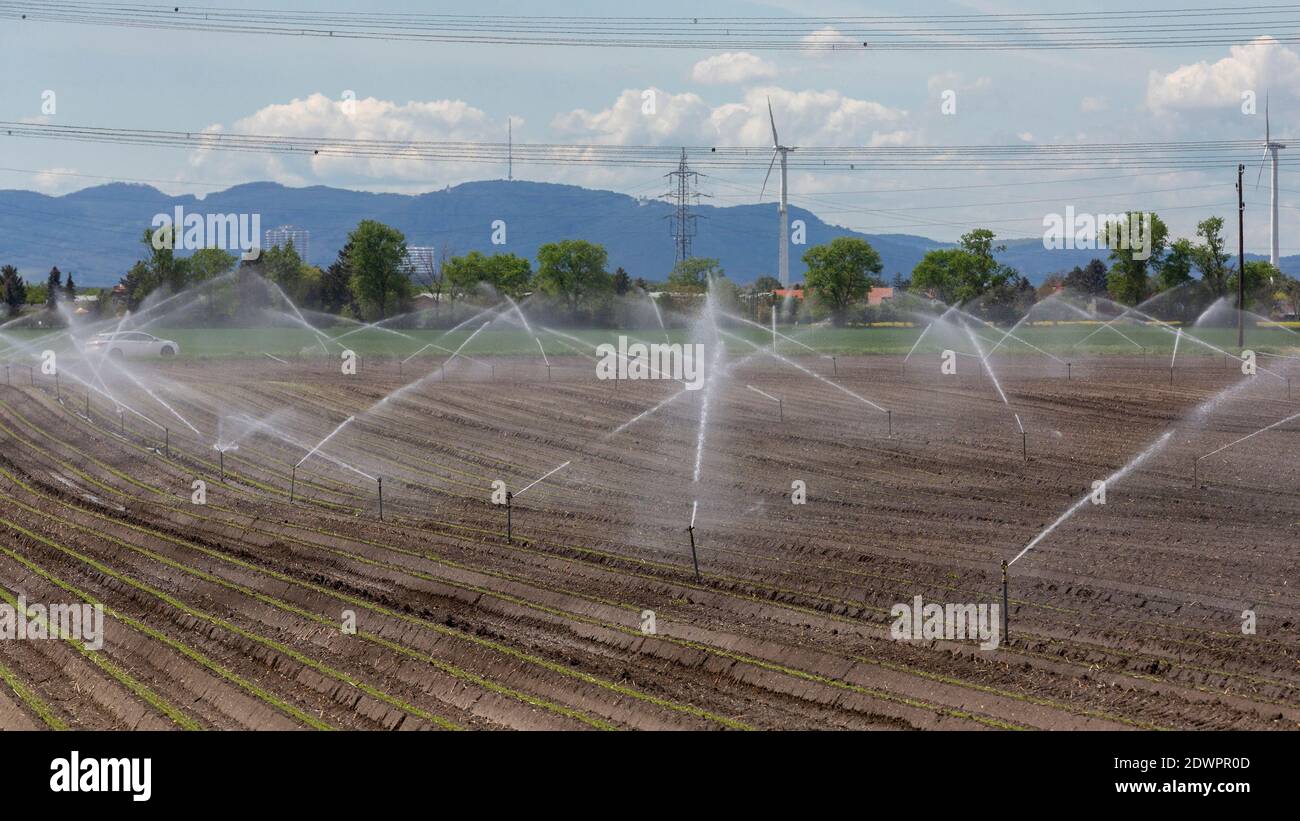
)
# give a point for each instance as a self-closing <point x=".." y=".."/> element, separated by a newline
<point x="1258" y="67"/>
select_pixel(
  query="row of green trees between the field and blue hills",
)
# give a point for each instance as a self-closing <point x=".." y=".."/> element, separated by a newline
<point x="375" y="277"/>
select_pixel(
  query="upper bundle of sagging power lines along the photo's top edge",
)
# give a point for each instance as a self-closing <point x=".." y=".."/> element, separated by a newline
<point x="982" y="32"/>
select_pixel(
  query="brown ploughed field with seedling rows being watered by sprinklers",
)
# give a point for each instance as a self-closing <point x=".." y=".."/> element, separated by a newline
<point x="229" y="615"/>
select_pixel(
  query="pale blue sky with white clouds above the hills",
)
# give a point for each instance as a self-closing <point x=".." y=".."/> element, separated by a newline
<point x="304" y="86"/>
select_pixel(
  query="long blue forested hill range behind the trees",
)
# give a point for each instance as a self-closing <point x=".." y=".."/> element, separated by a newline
<point x="96" y="233"/>
